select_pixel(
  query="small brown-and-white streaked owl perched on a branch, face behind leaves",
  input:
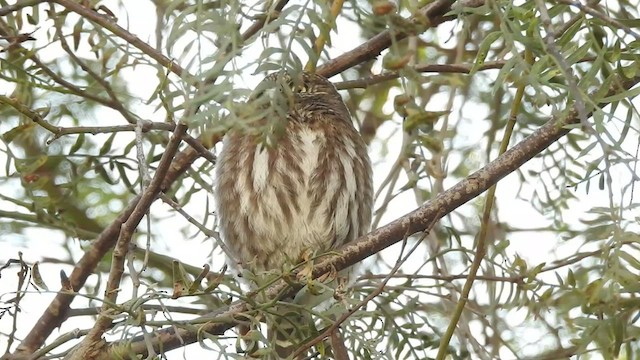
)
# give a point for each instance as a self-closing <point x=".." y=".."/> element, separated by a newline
<point x="297" y="180"/>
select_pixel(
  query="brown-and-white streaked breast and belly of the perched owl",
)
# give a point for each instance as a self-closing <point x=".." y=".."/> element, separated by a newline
<point x="309" y="192"/>
